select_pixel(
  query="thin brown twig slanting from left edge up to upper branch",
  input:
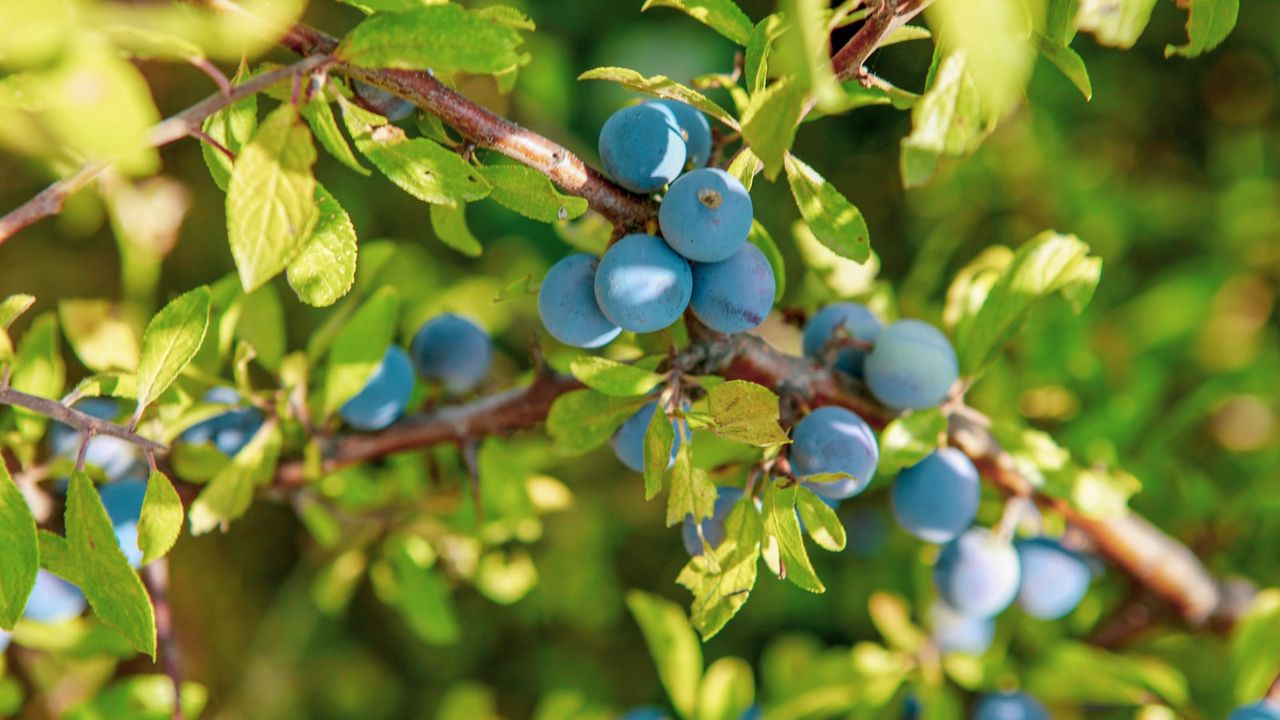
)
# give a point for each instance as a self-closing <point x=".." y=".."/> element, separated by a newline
<point x="51" y="200"/>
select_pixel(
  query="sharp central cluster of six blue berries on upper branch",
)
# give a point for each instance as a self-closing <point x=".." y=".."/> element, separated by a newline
<point x="702" y="262"/>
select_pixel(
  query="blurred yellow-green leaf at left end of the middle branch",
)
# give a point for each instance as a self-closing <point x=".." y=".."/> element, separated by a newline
<point x="230" y="494"/>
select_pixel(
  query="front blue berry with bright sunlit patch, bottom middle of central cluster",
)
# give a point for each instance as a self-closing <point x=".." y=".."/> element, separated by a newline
<point x="642" y="285"/>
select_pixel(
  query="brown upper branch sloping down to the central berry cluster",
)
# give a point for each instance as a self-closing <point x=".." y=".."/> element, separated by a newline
<point x="484" y="129"/>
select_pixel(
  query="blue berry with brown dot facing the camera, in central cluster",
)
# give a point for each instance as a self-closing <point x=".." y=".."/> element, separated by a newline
<point x="706" y="216"/>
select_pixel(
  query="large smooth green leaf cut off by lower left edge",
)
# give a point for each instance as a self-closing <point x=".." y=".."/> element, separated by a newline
<point x="21" y="557"/>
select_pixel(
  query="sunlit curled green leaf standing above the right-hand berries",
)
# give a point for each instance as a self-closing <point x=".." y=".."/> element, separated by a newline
<point x="1045" y="266"/>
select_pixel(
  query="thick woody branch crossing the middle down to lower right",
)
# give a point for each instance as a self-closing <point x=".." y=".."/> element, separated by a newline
<point x="1160" y="564"/>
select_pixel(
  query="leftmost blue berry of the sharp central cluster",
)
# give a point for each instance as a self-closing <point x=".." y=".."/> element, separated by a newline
<point x="568" y="307"/>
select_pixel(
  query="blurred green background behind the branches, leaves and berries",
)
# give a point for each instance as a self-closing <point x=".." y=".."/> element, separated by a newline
<point x="1172" y="174"/>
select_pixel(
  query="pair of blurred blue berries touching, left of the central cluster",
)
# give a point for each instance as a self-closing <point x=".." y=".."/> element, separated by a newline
<point x="450" y="350"/>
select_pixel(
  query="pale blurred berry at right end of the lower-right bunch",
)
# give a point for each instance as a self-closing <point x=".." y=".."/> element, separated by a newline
<point x="1054" y="578"/>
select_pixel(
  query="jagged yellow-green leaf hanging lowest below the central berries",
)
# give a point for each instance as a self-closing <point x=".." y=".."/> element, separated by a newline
<point x="723" y="580"/>
